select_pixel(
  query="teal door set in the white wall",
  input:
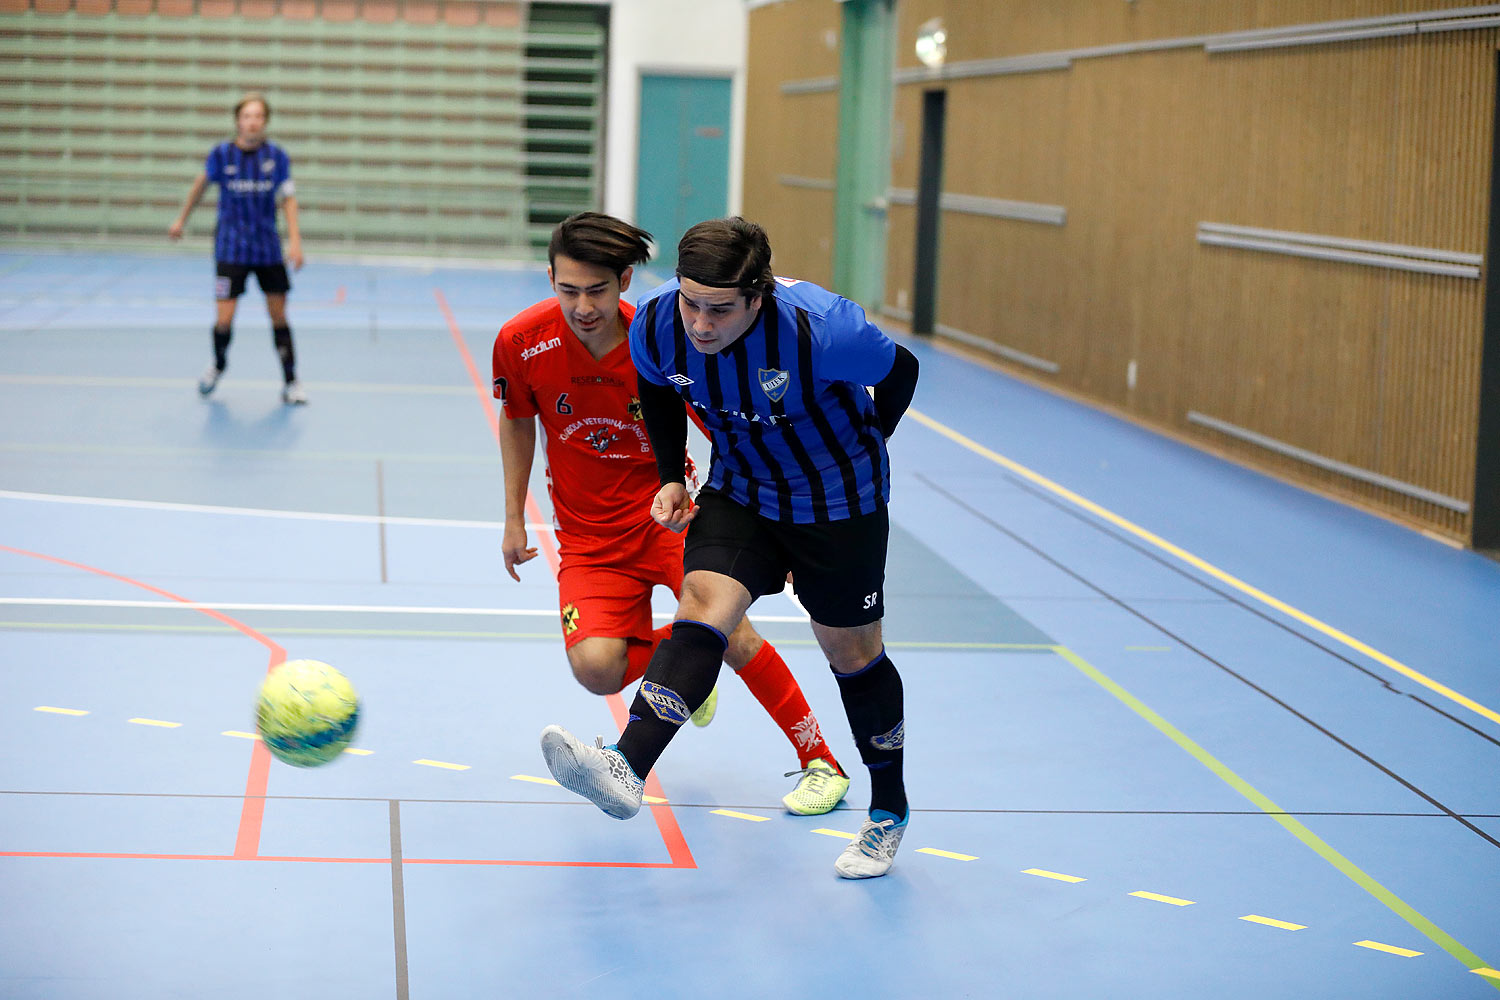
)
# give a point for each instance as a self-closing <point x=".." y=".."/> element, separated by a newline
<point x="683" y="170"/>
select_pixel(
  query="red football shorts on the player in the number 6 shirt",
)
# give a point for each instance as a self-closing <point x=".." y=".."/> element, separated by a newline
<point x="605" y="584"/>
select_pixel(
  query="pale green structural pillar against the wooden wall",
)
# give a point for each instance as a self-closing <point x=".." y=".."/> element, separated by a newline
<point x="865" y="151"/>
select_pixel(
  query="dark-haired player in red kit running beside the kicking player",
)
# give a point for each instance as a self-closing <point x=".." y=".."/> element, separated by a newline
<point x="565" y="362"/>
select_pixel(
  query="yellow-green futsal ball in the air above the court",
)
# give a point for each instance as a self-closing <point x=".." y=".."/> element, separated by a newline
<point x="307" y="713"/>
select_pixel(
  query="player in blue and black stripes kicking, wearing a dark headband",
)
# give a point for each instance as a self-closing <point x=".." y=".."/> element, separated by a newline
<point x="799" y="485"/>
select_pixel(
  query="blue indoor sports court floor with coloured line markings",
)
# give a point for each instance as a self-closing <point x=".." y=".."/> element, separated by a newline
<point x="1177" y="729"/>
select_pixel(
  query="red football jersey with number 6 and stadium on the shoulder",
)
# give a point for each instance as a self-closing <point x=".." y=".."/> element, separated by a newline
<point x="601" y="472"/>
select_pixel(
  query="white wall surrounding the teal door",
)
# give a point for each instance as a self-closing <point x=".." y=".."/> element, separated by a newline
<point x="670" y="37"/>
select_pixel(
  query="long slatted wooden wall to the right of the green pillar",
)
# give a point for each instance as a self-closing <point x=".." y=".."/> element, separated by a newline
<point x="1384" y="140"/>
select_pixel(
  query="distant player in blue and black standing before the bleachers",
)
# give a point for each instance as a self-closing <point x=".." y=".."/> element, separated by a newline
<point x="253" y="178"/>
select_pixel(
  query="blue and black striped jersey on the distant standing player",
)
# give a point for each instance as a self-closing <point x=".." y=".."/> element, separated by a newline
<point x="250" y="185"/>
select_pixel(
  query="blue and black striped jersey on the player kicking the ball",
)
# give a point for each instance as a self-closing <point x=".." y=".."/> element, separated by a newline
<point x="796" y="434"/>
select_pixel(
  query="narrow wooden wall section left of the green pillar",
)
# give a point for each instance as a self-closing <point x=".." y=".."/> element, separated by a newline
<point x="793" y="134"/>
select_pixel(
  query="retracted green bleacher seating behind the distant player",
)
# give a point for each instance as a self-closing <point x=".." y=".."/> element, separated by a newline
<point x="401" y="134"/>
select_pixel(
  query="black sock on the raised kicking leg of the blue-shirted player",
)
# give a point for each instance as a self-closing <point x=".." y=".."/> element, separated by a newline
<point x="680" y="677"/>
